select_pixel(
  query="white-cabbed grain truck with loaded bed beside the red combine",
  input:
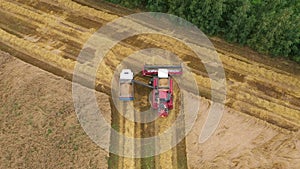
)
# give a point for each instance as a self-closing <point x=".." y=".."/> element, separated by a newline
<point x="126" y="85"/>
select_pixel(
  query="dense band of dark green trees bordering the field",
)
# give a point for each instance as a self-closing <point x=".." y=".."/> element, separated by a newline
<point x="269" y="26"/>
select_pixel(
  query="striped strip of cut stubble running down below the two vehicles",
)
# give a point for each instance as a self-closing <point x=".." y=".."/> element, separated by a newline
<point x="173" y="158"/>
